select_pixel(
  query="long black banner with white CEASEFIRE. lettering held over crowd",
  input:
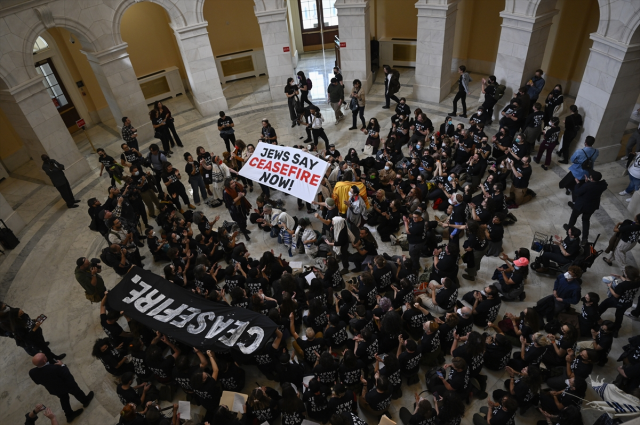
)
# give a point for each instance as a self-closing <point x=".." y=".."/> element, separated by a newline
<point x="180" y="314"/>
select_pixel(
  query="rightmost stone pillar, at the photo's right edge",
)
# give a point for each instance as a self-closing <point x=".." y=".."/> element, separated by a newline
<point x="608" y="92"/>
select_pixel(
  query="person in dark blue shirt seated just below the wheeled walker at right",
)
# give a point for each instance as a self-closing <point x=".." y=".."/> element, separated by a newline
<point x="566" y="292"/>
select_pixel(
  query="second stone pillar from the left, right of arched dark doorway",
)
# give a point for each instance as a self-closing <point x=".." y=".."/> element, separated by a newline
<point x="120" y="87"/>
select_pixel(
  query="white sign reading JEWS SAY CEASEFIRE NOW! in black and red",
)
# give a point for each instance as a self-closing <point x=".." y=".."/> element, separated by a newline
<point x="286" y="169"/>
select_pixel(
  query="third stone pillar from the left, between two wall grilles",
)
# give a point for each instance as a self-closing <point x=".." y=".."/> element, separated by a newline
<point x="200" y="65"/>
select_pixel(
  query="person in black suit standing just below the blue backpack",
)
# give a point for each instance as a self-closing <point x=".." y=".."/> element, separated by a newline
<point x="587" y="196"/>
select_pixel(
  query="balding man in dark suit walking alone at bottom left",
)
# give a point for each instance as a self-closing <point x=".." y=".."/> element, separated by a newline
<point x="58" y="381"/>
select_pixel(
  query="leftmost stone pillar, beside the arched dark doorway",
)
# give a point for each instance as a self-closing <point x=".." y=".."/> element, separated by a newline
<point x="36" y="120"/>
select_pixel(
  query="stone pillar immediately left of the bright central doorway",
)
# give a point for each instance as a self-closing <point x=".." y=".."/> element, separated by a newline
<point x="272" y="17"/>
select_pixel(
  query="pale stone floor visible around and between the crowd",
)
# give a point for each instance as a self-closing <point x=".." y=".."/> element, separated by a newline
<point x="38" y="275"/>
